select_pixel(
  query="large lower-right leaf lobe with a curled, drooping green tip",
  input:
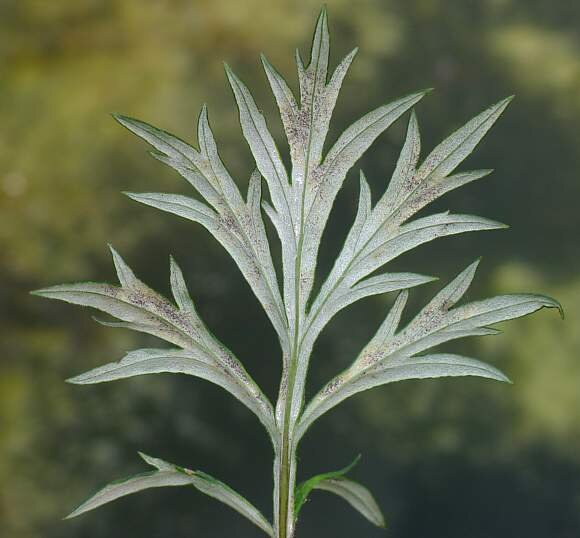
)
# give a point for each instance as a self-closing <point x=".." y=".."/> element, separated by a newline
<point x="391" y="354"/>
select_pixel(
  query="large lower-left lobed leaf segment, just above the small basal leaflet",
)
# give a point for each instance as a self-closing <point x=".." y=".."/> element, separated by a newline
<point x="140" y="308"/>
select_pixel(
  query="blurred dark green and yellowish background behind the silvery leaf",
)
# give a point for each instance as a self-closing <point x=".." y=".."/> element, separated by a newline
<point x="446" y="458"/>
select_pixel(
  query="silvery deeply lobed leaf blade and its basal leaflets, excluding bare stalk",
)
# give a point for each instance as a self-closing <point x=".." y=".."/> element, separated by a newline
<point x="298" y="204"/>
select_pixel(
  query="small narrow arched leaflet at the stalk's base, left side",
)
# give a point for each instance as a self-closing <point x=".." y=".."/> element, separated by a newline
<point x="167" y="474"/>
